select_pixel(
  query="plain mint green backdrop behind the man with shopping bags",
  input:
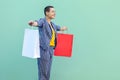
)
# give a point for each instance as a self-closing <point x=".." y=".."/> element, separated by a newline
<point x="96" y="28"/>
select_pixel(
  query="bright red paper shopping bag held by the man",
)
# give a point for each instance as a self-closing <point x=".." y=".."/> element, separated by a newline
<point x="64" y="45"/>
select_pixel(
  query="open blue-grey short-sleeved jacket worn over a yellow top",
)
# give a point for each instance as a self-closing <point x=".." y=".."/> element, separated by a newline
<point x="45" y="32"/>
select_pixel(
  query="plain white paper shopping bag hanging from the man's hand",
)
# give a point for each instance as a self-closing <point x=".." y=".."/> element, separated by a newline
<point x="31" y="44"/>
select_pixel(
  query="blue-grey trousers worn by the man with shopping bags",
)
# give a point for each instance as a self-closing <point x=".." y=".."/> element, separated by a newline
<point x="44" y="63"/>
